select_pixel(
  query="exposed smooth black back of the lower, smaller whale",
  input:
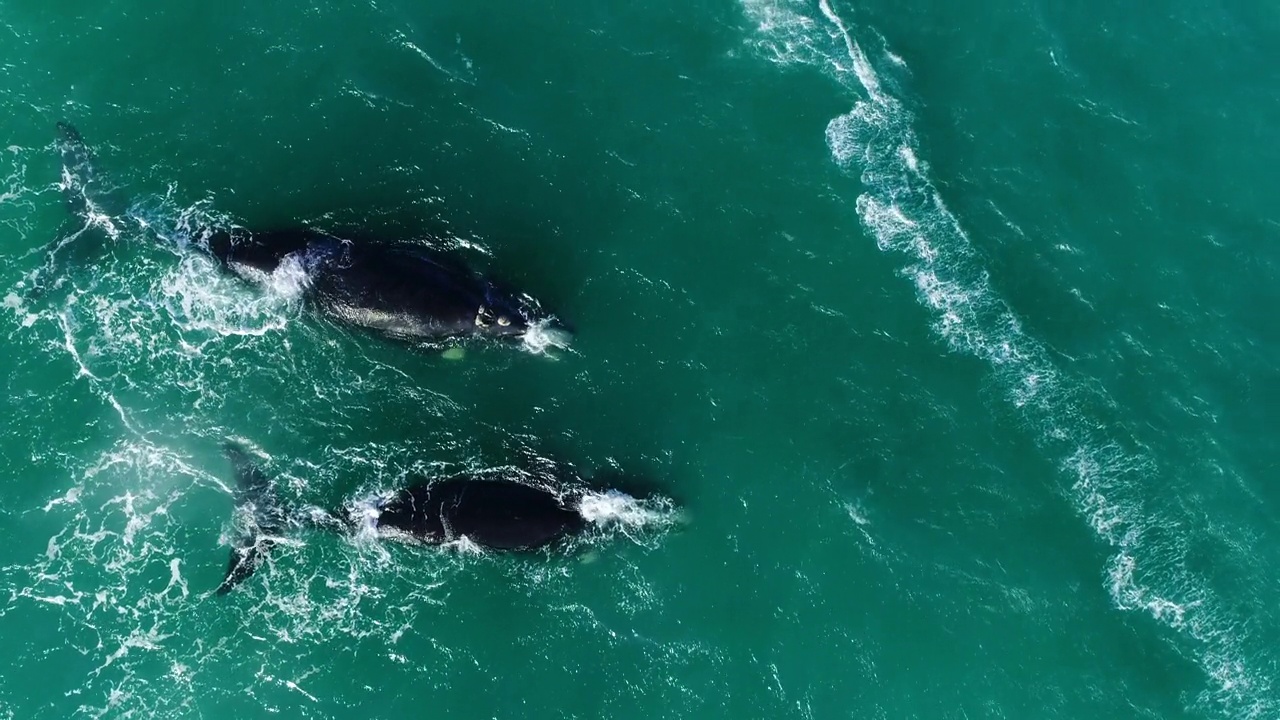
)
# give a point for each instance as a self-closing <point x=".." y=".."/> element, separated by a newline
<point x="500" y="514"/>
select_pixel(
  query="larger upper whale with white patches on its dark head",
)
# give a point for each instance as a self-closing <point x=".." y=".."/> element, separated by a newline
<point x="399" y="290"/>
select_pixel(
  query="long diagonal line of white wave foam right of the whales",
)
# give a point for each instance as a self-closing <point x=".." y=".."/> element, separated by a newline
<point x="907" y="215"/>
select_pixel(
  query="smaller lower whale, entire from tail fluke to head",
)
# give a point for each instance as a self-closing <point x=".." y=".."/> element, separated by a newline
<point x="504" y="511"/>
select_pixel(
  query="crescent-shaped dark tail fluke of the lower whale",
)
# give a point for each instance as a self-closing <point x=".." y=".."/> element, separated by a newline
<point x="263" y="517"/>
